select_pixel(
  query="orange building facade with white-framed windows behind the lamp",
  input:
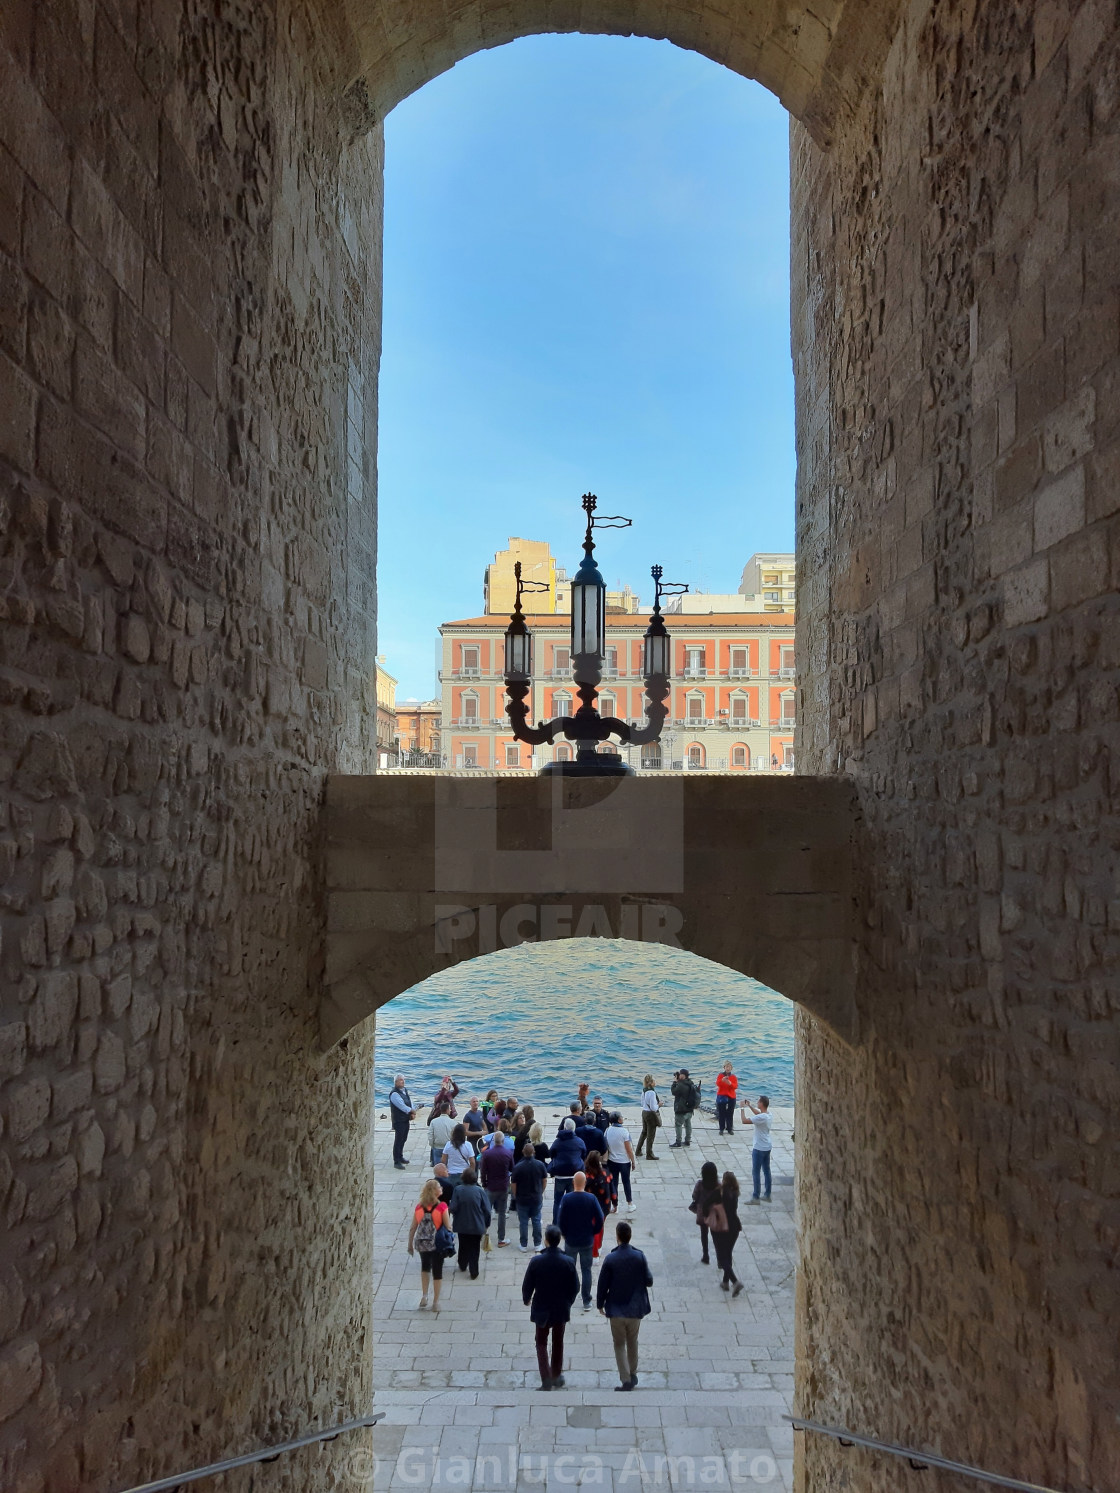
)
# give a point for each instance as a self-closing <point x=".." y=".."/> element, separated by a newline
<point x="732" y="702"/>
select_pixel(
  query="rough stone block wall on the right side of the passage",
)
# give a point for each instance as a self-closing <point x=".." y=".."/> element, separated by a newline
<point x="956" y="337"/>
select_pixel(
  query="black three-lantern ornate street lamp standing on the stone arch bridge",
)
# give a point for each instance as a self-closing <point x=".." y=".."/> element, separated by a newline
<point x="588" y="728"/>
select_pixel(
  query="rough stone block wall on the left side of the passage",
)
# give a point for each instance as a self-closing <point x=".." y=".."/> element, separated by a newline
<point x="189" y="349"/>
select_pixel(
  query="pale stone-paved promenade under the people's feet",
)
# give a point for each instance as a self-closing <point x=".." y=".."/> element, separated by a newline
<point x="716" y="1376"/>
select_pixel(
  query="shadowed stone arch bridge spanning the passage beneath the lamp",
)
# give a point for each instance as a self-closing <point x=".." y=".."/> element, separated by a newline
<point x="752" y="873"/>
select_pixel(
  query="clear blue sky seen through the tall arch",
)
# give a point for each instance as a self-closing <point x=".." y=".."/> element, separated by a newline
<point x="586" y="289"/>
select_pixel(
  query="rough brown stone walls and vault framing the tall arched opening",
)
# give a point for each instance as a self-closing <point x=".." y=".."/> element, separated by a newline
<point x="190" y="204"/>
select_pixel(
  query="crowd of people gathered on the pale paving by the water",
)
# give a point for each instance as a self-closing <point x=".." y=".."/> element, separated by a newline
<point x="497" y="1158"/>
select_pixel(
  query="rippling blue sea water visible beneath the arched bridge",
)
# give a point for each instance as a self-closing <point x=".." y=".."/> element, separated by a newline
<point x="537" y="1020"/>
